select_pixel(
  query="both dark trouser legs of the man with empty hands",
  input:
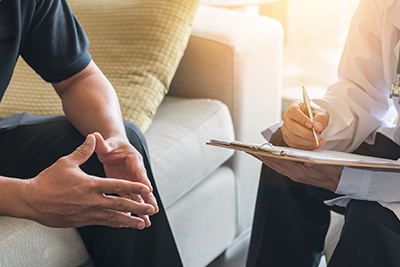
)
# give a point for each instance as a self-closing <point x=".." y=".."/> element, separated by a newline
<point x="29" y="144"/>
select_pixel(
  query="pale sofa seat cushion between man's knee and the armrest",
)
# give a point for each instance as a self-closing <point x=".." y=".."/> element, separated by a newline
<point x="177" y="143"/>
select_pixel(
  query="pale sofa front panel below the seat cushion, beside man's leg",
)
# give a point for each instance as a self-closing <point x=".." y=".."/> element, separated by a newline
<point x="201" y="238"/>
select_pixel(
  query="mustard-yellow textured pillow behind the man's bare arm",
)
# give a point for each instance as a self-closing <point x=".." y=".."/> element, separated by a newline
<point x="138" y="44"/>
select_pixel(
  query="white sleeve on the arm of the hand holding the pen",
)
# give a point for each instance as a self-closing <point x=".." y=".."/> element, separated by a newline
<point x="359" y="101"/>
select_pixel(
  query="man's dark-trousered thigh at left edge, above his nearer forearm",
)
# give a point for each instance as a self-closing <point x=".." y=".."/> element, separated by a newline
<point x="30" y="144"/>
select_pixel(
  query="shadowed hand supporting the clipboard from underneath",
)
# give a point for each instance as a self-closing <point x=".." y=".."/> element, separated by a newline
<point x="323" y="176"/>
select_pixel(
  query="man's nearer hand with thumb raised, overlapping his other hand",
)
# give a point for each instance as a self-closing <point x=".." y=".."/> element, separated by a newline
<point x="64" y="196"/>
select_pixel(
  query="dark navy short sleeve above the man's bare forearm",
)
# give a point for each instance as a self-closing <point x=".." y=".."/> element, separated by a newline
<point x="56" y="46"/>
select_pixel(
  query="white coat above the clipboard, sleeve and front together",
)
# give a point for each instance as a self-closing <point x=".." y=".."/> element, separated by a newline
<point x="359" y="103"/>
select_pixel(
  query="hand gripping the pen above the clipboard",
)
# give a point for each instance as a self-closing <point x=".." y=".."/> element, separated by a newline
<point x="297" y="126"/>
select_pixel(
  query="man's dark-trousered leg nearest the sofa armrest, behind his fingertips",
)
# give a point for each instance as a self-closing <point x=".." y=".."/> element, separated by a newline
<point x="154" y="246"/>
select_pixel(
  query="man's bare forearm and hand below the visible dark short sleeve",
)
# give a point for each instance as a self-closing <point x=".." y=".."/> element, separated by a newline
<point x="91" y="104"/>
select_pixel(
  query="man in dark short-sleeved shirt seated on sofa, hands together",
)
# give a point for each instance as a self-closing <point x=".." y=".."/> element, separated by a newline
<point x="47" y="155"/>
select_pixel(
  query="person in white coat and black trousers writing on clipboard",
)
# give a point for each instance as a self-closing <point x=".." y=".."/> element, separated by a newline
<point x="357" y="114"/>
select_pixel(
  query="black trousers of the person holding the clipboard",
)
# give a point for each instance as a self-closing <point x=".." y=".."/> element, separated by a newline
<point x="291" y="221"/>
